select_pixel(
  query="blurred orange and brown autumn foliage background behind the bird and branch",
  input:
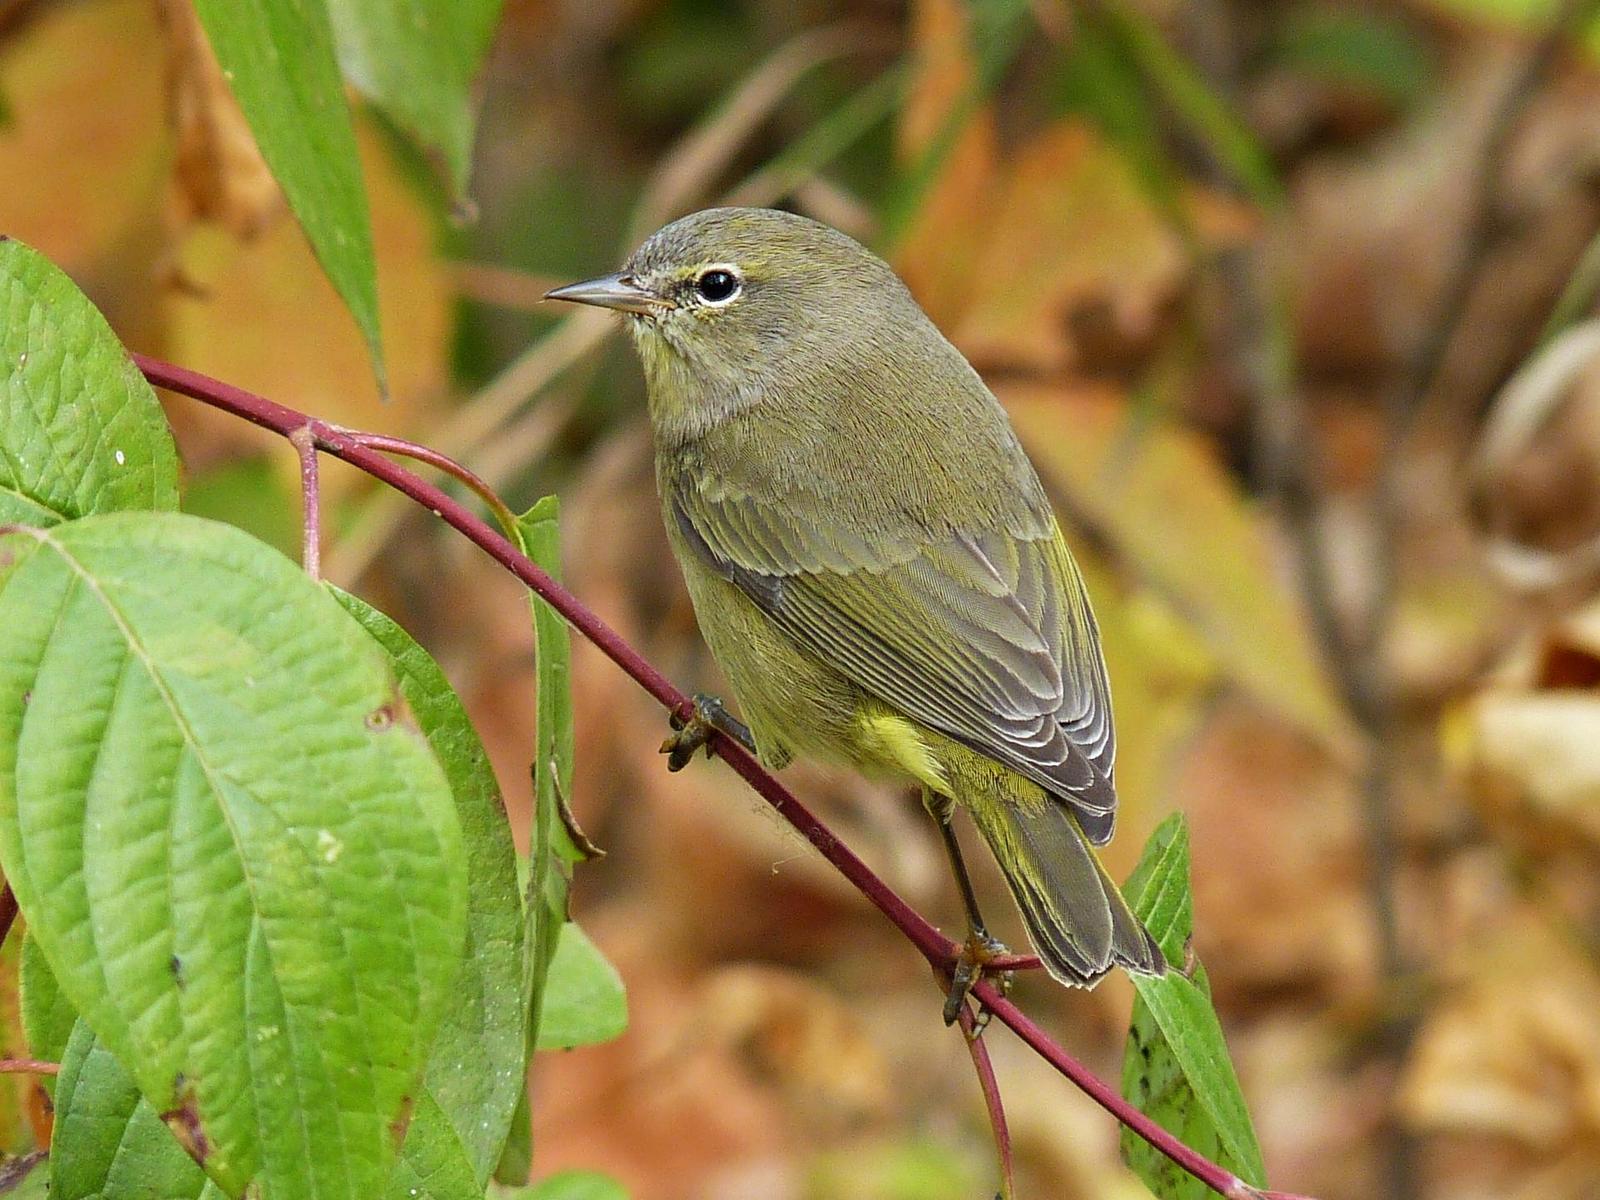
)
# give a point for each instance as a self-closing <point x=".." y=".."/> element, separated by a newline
<point x="1252" y="279"/>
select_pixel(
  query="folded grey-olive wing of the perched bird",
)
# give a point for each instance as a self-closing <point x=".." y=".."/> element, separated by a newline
<point x="983" y="638"/>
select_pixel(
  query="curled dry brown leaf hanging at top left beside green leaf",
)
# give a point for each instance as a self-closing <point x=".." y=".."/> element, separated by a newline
<point x="218" y="174"/>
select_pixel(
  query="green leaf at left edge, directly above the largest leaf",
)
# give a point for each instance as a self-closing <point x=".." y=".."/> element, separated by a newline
<point x="81" y="430"/>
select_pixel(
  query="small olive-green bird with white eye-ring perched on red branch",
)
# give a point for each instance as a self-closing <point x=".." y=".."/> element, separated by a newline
<point x="873" y="559"/>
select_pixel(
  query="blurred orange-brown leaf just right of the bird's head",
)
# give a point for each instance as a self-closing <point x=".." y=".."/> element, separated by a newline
<point x="1070" y="228"/>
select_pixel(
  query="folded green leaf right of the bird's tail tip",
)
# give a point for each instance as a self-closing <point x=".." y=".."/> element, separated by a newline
<point x="1177" y="1066"/>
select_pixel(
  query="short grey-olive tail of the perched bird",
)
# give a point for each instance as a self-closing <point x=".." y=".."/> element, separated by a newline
<point x="1076" y="918"/>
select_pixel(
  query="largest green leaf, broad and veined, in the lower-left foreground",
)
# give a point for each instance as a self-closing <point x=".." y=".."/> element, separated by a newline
<point x="239" y="858"/>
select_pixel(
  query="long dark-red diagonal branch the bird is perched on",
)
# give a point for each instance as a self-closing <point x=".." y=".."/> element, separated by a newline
<point x="361" y="452"/>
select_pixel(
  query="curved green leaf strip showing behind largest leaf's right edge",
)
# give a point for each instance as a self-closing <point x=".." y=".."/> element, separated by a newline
<point x="478" y="1063"/>
